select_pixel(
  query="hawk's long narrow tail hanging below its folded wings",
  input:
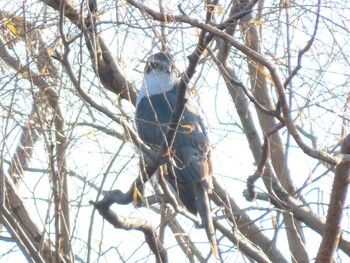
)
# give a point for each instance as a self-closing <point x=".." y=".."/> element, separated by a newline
<point x="205" y="214"/>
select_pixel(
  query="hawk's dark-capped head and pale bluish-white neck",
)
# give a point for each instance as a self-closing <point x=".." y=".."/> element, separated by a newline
<point x="159" y="75"/>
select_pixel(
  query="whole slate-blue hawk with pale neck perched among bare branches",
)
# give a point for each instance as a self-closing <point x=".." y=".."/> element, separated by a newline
<point x="189" y="171"/>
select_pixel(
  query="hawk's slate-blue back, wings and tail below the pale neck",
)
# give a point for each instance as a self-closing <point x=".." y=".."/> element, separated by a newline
<point x="190" y="171"/>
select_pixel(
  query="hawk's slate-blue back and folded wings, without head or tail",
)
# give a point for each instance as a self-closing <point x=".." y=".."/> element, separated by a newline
<point x="190" y="149"/>
